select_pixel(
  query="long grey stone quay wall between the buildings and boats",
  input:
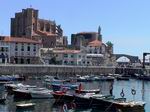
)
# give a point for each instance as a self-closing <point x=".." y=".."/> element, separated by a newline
<point x="64" y="69"/>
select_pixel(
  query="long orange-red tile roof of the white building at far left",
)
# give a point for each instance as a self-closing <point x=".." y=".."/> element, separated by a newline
<point x="20" y="40"/>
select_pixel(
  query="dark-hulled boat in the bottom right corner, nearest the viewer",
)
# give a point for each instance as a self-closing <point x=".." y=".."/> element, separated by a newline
<point x="115" y="104"/>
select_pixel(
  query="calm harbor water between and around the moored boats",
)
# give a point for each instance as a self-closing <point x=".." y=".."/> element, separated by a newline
<point x="48" y="105"/>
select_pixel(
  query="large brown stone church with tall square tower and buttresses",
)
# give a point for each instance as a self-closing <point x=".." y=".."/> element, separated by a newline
<point x="28" y="24"/>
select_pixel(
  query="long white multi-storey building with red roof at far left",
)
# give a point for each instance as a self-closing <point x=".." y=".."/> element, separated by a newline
<point x="19" y="50"/>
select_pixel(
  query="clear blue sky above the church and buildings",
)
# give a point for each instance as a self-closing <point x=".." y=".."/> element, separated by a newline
<point x="126" y="23"/>
